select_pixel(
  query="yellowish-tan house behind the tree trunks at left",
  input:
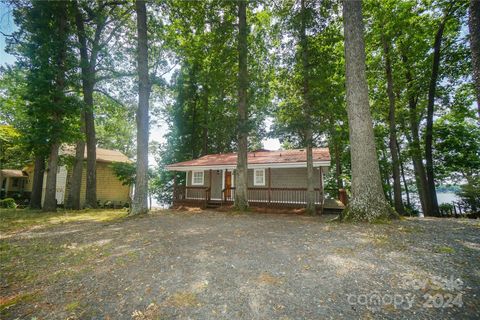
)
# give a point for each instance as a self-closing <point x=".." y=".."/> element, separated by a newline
<point x="18" y="183"/>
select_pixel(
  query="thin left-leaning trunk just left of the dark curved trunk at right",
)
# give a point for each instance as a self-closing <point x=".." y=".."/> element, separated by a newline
<point x="415" y="149"/>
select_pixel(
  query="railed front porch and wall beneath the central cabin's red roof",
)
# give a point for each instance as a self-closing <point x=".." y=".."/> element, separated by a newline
<point x="265" y="188"/>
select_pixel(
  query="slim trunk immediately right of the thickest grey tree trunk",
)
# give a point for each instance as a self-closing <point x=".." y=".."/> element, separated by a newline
<point x="397" y="188"/>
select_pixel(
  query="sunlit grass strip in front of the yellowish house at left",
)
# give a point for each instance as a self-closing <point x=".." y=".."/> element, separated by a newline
<point x="13" y="220"/>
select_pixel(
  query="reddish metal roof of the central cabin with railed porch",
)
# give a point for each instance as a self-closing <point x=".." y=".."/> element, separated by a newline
<point x="257" y="157"/>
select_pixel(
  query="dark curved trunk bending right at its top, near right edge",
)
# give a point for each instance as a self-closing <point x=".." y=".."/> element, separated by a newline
<point x="432" y="193"/>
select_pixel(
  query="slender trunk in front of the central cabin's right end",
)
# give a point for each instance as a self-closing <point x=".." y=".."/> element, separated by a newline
<point x="310" y="206"/>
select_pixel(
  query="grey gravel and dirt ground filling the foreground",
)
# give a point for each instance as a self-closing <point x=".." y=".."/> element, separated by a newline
<point x="222" y="265"/>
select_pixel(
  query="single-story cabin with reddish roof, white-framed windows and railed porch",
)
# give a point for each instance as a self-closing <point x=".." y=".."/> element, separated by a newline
<point x="275" y="178"/>
